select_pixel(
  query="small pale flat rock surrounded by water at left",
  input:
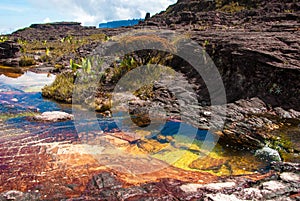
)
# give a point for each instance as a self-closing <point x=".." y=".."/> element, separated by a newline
<point x="53" y="116"/>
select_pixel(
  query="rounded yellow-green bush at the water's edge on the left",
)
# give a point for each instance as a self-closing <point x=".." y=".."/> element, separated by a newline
<point x="62" y="88"/>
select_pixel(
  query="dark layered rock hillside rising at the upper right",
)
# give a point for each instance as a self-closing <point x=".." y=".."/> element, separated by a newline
<point x="255" y="44"/>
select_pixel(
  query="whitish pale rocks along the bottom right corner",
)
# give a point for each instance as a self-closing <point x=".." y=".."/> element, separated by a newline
<point x="268" y="187"/>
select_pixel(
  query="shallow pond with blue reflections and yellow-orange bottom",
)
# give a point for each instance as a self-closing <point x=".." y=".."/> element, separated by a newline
<point x="173" y="142"/>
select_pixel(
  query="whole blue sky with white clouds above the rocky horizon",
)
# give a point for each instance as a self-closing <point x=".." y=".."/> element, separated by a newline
<point x="16" y="14"/>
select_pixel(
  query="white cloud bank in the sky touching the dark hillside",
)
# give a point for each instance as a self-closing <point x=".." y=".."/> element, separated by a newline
<point x="92" y="12"/>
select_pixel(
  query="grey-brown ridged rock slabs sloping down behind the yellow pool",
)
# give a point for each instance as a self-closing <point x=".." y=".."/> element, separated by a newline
<point x="248" y="121"/>
